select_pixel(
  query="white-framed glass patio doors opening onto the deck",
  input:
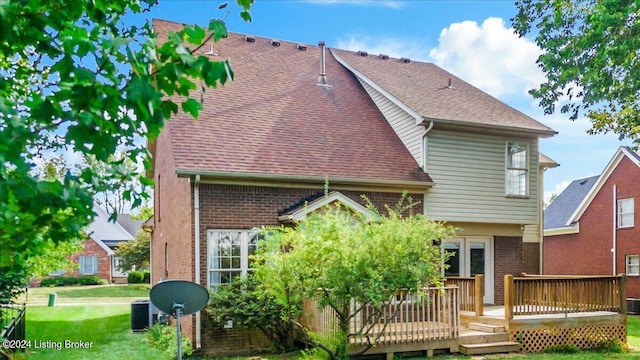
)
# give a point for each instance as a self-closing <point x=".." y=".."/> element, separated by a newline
<point x="469" y="257"/>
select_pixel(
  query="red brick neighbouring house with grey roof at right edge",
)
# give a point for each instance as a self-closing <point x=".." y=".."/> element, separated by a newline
<point x="591" y="228"/>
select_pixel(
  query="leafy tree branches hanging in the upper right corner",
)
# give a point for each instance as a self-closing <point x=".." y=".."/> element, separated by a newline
<point x="590" y="57"/>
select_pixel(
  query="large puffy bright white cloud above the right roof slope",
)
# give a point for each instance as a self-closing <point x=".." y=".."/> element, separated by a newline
<point x="490" y="56"/>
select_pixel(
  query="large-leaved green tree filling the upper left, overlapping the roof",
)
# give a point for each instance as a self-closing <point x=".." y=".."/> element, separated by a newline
<point x="79" y="79"/>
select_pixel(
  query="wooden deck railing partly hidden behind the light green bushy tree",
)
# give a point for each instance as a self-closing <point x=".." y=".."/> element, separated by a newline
<point x="432" y="315"/>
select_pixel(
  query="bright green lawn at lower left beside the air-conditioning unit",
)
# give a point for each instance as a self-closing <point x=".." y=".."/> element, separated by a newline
<point x="105" y="327"/>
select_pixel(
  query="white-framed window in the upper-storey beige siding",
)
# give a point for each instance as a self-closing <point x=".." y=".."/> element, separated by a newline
<point x="517" y="174"/>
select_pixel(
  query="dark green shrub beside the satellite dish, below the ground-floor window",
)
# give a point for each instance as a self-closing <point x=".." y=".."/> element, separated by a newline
<point x="247" y="306"/>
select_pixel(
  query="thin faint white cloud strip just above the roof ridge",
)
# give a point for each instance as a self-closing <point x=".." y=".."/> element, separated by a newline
<point x="394" y="47"/>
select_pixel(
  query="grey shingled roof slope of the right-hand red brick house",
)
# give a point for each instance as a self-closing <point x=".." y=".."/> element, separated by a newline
<point x="558" y="214"/>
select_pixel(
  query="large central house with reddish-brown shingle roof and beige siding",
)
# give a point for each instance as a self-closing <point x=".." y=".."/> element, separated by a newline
<point x="299" y="115"/>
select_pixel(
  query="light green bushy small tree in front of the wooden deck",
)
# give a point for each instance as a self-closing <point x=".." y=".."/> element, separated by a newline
<point x="336" y="258"/>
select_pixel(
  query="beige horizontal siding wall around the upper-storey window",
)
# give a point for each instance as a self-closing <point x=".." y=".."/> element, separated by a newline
<point x="469" y="173"/>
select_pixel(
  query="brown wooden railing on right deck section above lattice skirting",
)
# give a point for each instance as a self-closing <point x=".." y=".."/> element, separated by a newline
<point x="536" y="294"/>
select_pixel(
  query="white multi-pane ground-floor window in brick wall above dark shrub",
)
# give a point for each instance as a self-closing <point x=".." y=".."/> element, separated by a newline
<point x="228" y="253"/>
